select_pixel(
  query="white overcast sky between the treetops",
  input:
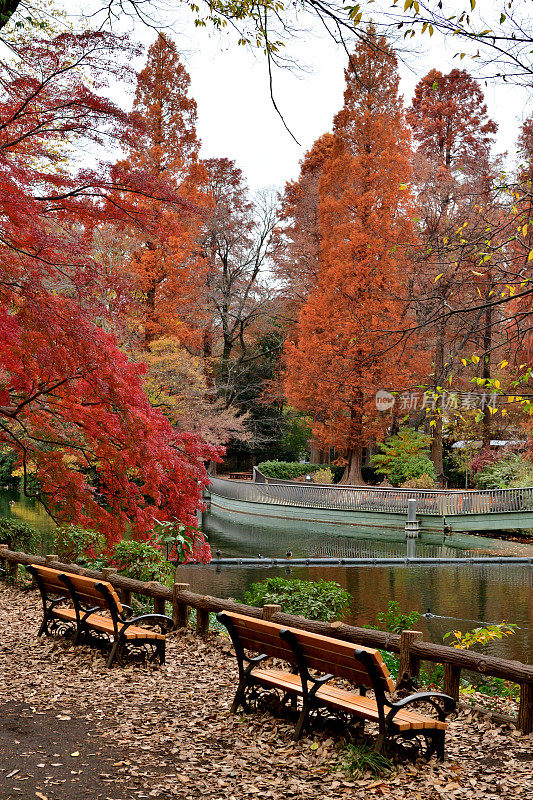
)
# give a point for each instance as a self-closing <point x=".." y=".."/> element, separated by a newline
<point x="236" y="118"/>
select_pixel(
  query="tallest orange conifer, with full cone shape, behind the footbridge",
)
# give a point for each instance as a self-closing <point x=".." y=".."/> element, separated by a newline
<point x="347" y="344"/>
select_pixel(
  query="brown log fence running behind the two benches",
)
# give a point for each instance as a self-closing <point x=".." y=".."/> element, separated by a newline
<point x="409" y="645"/>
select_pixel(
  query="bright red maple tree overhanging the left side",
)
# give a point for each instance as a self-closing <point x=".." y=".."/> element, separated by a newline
<point x="72" y="406"/>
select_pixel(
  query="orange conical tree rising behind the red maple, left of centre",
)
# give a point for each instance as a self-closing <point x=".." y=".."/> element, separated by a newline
<point x="167" y="269"/>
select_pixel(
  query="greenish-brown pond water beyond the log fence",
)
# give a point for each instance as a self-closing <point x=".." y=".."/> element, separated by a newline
<point x="459" y="596"/>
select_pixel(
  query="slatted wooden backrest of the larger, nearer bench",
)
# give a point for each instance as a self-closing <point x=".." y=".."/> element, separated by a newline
<point x="322" y="653"/>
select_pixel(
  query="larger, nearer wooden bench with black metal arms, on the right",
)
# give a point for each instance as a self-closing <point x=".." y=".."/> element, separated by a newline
<point x="362" y="667"/>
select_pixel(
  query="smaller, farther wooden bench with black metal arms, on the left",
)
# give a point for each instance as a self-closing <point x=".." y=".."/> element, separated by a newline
<point x="90" y="611"/>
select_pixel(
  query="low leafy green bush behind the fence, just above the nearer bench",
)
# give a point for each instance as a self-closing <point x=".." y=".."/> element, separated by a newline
<point x="321" y="600"/>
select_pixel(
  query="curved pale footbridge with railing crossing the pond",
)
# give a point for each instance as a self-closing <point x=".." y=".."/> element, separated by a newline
<point x="322" y="506"/>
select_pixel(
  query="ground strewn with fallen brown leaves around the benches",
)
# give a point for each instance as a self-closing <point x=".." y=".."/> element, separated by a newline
<point x="167" y="732"/>
